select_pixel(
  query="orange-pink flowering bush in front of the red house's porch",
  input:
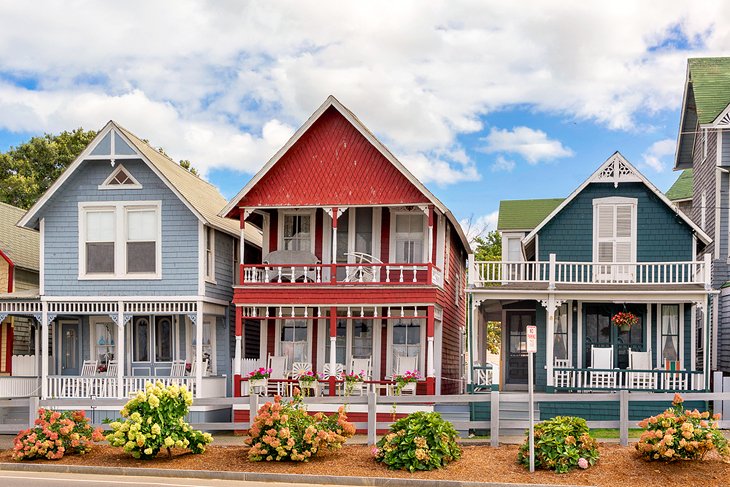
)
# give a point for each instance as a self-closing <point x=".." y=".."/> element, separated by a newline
<point x="285" y="431"/>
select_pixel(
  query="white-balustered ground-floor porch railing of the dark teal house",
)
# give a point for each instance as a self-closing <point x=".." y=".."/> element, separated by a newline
<point x="627" y="379"/>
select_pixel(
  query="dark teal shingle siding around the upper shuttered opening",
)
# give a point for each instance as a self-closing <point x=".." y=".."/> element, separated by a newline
<point x="661" y="234"/>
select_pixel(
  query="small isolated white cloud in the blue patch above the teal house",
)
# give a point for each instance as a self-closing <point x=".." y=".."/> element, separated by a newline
<point x="533" y="145"/>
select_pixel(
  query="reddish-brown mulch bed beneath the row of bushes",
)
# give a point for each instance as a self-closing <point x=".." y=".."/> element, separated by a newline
<point x="618" y="466"/>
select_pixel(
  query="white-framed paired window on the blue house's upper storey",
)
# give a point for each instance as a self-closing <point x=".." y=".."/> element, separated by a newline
<point x="119" y="240"/>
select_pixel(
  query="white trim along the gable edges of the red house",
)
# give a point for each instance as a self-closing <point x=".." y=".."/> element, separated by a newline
<point x="331" y="101"/>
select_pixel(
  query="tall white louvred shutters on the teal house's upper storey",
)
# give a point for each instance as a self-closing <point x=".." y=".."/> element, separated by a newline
<point x="614" y="238"/>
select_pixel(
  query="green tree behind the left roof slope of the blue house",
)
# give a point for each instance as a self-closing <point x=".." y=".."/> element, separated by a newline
<point x="26" y="171"/>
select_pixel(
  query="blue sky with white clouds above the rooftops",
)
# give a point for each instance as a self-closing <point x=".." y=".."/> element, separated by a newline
<point x="482" y="101"/>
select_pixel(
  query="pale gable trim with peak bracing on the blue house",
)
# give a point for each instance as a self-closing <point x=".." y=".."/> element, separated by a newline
<point x="33" y="211"/>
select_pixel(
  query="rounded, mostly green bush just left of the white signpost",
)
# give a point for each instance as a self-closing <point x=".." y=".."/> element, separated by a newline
<point x="420" y="441"/>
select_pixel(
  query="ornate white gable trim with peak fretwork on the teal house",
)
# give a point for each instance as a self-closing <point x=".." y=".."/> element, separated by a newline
<point x="618" y="170"/>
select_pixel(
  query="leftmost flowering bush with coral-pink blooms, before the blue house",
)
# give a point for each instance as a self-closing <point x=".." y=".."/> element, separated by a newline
<point x="55" y="434"/>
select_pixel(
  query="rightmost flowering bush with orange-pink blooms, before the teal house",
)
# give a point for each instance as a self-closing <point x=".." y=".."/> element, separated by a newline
<point x="678" y="434"/>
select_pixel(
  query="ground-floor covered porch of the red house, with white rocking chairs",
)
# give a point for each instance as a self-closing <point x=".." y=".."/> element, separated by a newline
<point x="378" y="341"/>
